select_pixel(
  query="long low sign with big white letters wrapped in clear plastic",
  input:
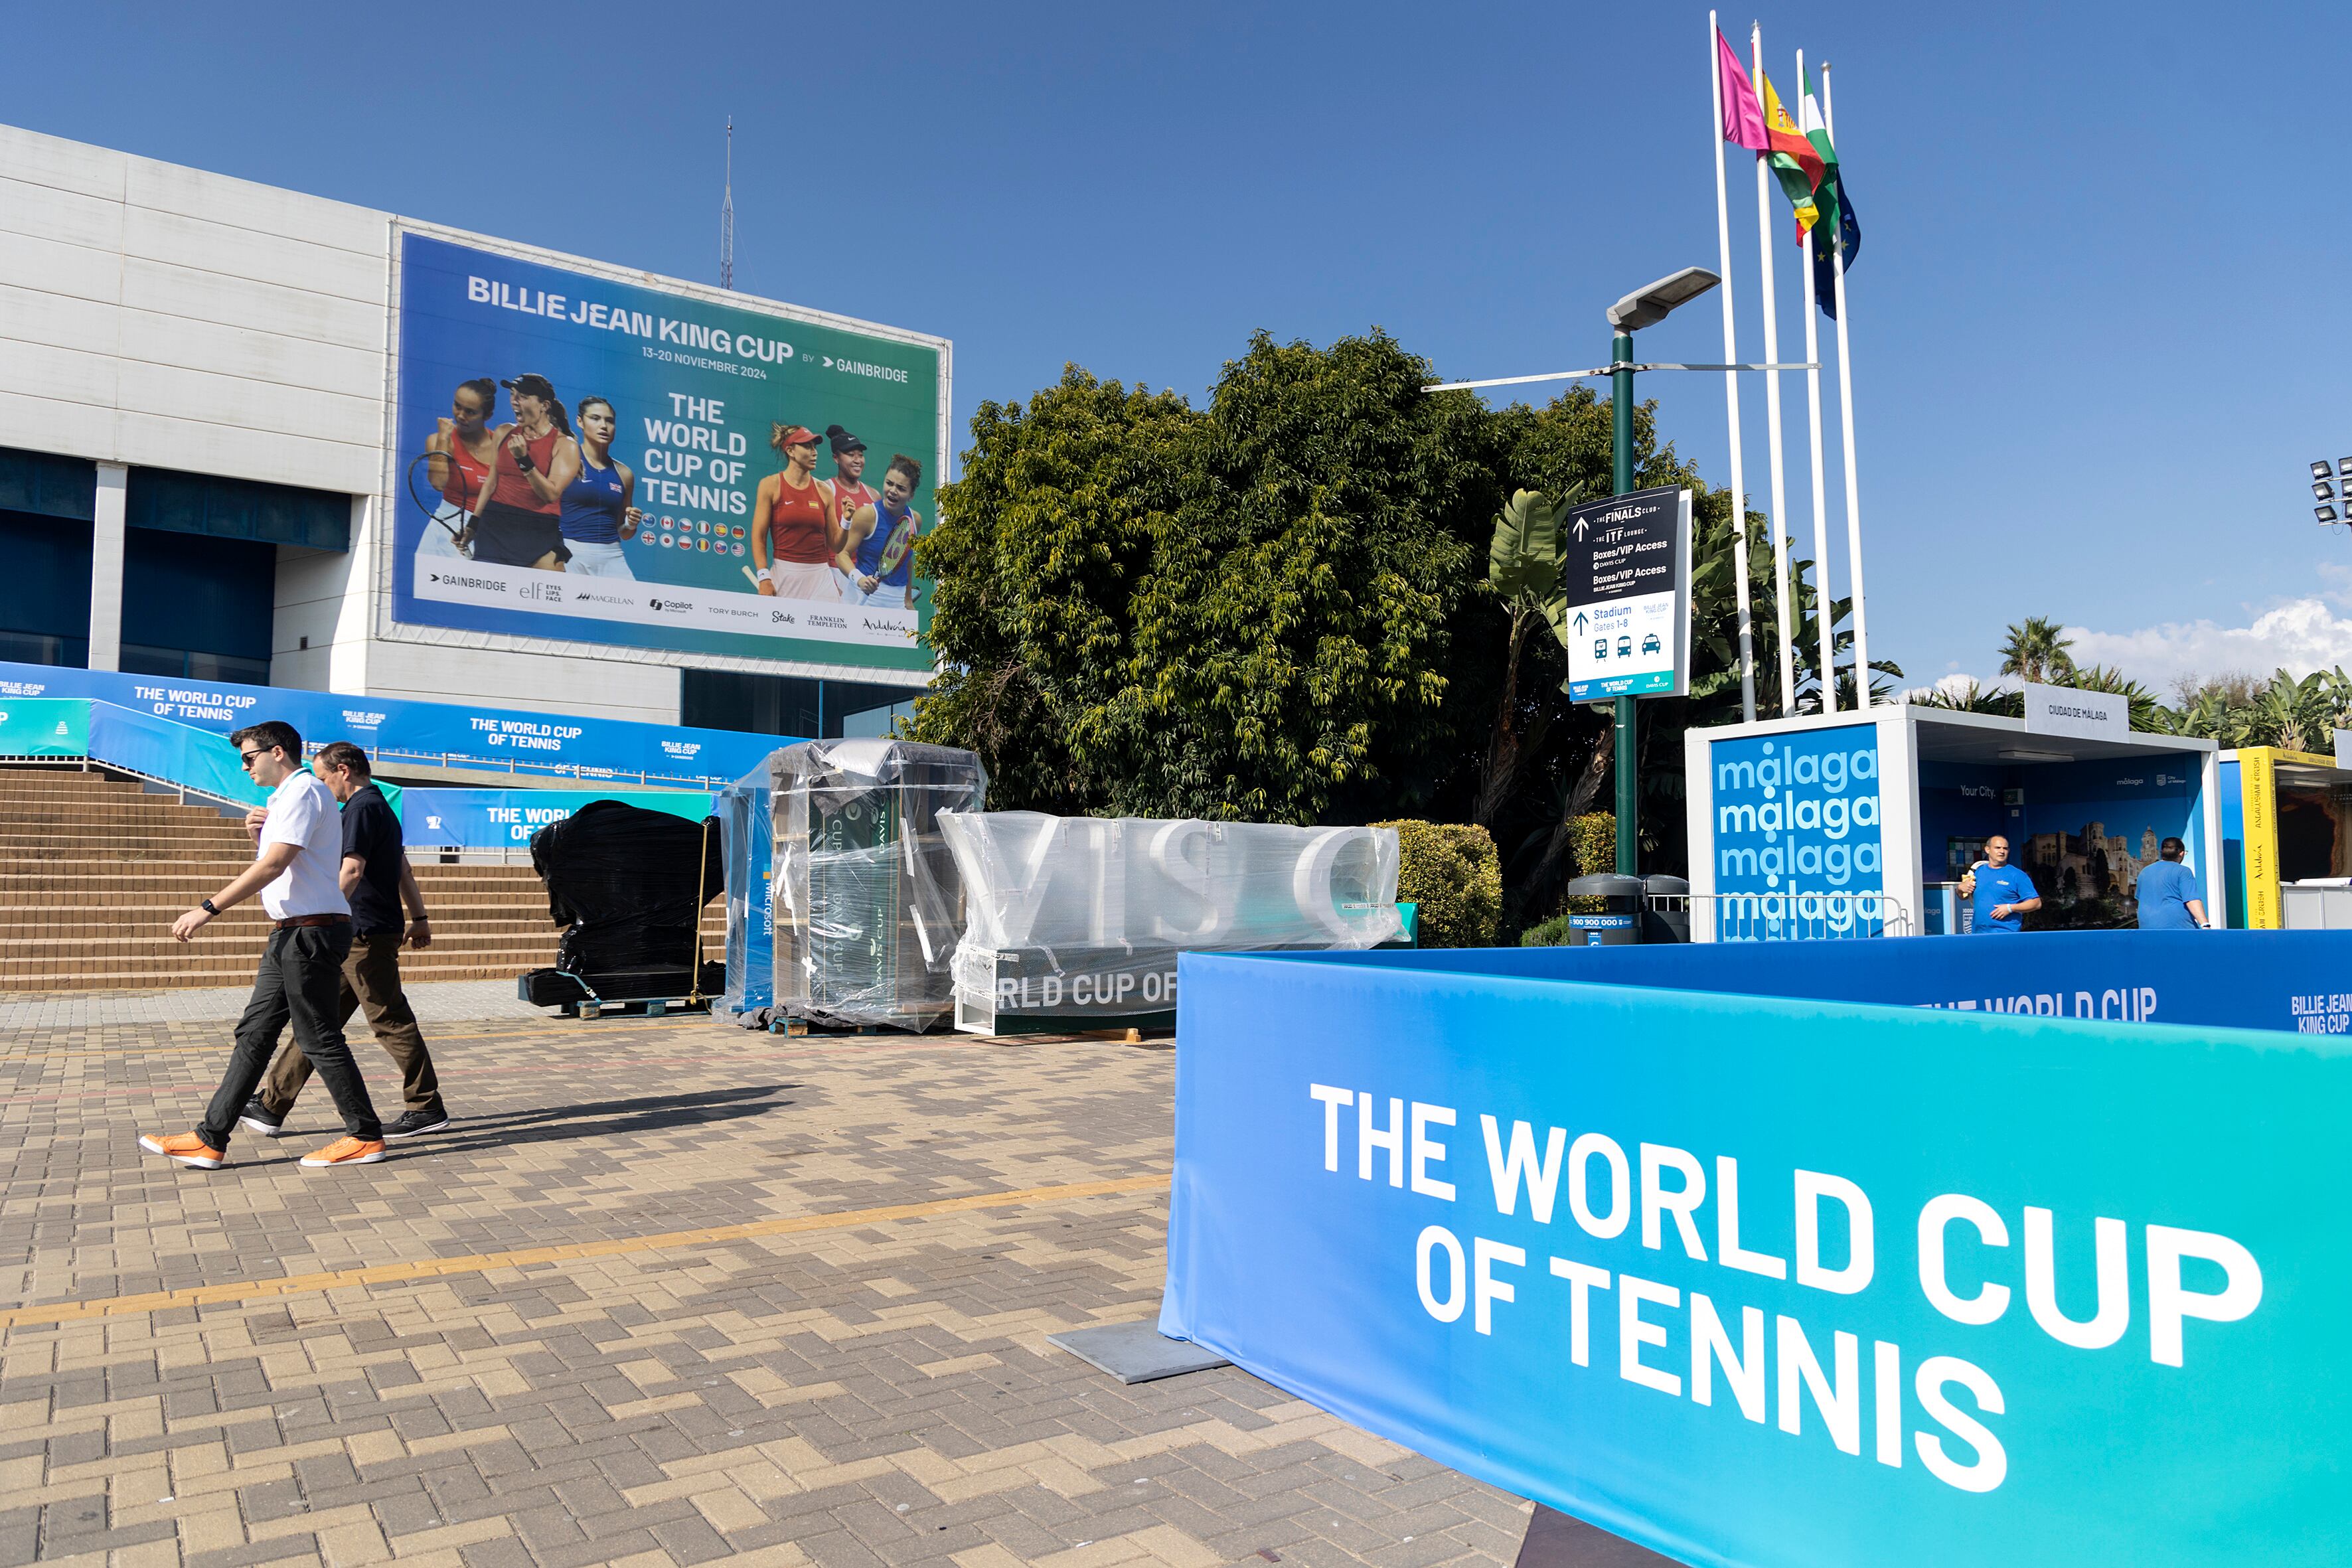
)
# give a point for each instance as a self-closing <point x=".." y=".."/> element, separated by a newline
<point x="1083" y="918"/>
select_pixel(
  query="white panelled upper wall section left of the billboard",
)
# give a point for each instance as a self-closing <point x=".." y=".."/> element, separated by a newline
<point x="173" y="319"/>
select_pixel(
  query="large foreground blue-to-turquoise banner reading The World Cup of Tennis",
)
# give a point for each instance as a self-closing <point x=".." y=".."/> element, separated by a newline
<point x="1784" y="1282"/>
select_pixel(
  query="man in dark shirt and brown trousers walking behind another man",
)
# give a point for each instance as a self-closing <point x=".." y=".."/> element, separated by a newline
<point x="377" y="880"/>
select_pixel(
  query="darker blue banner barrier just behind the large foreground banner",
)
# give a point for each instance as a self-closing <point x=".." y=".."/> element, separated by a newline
<point x="2297" y="981"/>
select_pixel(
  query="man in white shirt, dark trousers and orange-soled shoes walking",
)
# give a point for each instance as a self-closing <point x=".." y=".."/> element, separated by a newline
<point x="298" y="862"/>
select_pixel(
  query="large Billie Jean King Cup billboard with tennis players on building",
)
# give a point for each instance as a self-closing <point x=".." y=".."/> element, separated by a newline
<point x="601" y="462"/>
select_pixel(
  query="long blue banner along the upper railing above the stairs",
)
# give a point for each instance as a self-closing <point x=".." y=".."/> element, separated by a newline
<point x="439" y="735"/>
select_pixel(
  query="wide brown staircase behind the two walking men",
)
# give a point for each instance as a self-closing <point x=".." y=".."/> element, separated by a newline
<point x="95" y="871"/>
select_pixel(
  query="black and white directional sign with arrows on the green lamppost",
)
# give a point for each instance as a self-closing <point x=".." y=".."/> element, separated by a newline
<point x="1629" y="587"/>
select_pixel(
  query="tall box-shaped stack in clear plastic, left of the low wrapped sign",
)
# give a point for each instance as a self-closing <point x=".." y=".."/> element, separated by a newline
<point x="869" y="902"/>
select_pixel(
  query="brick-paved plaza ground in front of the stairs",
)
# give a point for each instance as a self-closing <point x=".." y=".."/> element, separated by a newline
<point x="664" y="1294"/>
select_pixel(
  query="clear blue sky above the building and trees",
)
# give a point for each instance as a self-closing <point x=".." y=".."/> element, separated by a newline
<point x="2097" y="326"/>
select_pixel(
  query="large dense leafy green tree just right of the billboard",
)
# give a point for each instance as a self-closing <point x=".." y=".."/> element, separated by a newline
<point x="1238" y="612"/>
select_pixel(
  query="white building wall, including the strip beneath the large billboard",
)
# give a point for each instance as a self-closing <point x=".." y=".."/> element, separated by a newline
<point x="168" y="319"/>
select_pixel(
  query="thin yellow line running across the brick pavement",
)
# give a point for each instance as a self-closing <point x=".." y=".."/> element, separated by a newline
<point x="481" y="1264"/>
